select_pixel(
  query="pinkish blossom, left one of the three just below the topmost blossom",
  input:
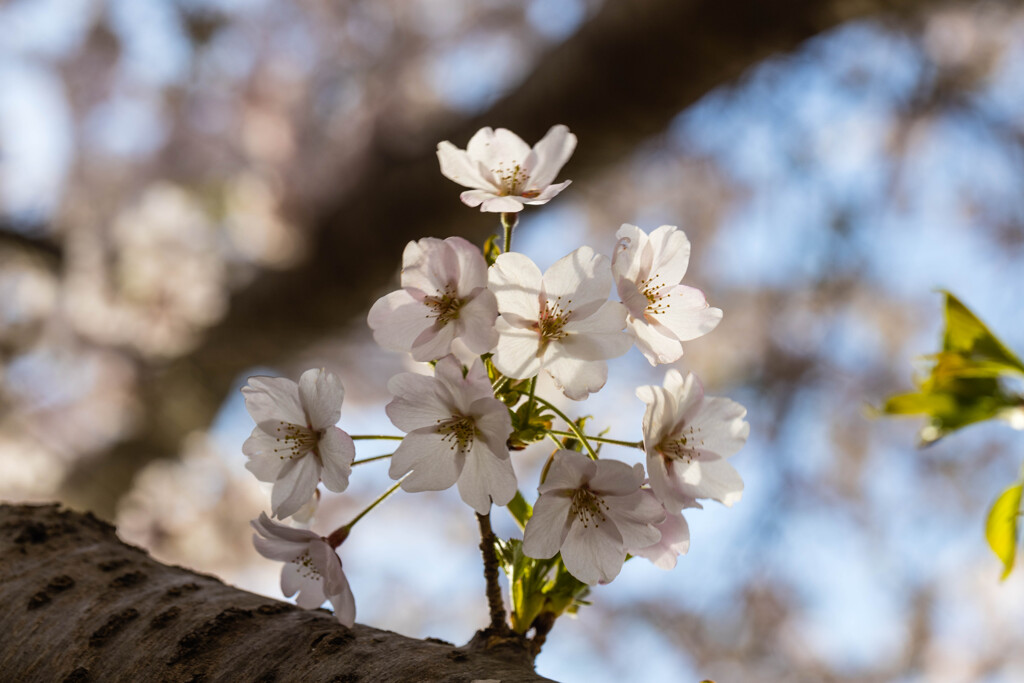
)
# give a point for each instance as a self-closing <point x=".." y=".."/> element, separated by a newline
<point x="445" y="297"/>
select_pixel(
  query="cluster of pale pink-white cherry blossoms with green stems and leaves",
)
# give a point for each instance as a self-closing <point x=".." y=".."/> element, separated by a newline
<point x="489" y="322"/>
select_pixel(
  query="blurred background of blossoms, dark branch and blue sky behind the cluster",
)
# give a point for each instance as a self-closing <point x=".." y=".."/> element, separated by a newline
<point x="193" y="192"/>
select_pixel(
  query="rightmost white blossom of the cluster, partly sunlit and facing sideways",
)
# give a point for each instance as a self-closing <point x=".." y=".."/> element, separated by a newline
<point x="688" y="439"/>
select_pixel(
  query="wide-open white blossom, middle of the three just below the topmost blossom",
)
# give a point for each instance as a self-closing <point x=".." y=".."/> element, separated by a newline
<point x="562" y="322"/>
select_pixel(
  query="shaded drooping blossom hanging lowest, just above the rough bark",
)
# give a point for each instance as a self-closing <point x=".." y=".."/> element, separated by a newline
<point x="314" y="570"/>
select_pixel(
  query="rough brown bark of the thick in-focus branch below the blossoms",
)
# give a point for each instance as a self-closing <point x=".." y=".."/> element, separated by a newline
<point x="81" y="606"/>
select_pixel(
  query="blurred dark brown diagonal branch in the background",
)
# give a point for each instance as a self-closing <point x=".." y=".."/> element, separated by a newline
<point x="618" y="82"/>
